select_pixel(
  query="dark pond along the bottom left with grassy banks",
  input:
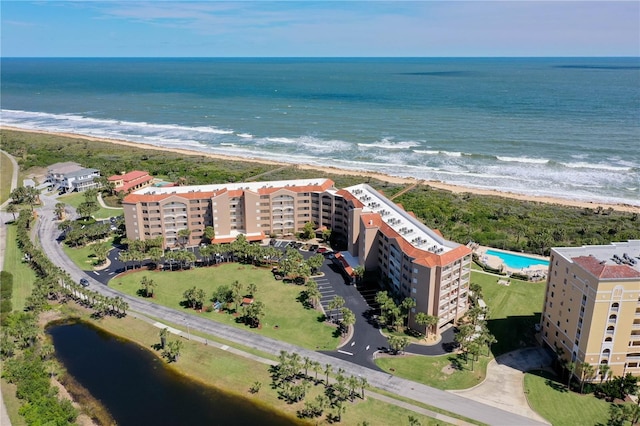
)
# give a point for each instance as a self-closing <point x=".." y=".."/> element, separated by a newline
<point x="137" y="388"/>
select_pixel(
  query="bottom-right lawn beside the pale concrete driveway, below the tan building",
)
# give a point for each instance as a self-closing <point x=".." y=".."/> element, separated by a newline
<point x="552" y="401"/>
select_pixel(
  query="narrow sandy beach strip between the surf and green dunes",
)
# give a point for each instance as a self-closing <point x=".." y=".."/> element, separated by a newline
<point x="628" y="208"/>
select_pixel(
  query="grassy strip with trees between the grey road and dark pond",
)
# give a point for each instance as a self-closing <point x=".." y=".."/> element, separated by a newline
<point x="235" y="375"/>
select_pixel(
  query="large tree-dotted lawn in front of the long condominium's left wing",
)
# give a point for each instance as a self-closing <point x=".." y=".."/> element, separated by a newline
<point x="285" y="318"/>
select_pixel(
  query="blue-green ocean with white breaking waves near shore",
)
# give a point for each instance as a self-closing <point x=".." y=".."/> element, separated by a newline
<point x="561" y="127"/>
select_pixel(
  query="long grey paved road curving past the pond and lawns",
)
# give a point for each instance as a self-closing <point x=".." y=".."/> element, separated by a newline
<point x="48" y="233"/>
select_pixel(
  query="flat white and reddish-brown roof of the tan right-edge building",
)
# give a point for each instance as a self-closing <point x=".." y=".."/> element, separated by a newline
<point x="618" y="260"/>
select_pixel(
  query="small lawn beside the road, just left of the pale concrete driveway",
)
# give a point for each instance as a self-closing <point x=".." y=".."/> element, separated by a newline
<point x="436" y="371"/>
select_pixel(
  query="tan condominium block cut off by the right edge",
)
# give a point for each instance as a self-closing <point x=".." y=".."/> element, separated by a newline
<point x="592" y="305"/>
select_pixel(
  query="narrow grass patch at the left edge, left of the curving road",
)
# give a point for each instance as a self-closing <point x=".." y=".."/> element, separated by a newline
<point x="23" y="276"/>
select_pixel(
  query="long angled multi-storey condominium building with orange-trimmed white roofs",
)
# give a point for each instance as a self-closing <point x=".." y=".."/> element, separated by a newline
<point x="412" y="260"/>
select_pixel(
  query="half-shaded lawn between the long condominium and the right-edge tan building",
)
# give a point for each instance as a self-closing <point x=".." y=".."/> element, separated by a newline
<point x="513" y="310"/>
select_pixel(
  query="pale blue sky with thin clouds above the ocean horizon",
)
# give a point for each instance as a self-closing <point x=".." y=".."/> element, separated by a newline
<point x="50" y="28"/>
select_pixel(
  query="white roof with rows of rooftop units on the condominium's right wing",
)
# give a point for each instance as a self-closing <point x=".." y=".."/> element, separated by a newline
<point x="402" y="222"/>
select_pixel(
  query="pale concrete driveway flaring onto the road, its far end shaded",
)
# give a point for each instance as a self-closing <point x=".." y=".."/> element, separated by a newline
<point x="504" y="386"/>
